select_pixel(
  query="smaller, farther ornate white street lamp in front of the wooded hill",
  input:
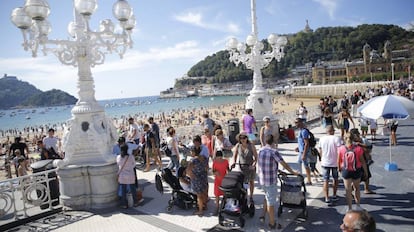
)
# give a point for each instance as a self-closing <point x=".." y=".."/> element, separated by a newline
<point x="257" y="59"/>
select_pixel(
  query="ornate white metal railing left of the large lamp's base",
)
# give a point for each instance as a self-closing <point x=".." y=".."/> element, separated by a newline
<point x="27" y="196"/>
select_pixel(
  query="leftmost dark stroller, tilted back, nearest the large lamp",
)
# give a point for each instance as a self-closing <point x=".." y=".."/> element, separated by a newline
<point x="179" y="197"/>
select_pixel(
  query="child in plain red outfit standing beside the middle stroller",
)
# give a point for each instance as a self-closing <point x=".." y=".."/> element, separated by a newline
<point x="220" y="169"/>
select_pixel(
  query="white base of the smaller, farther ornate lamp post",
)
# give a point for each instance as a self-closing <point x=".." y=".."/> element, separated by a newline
<point x="260" y="102"/>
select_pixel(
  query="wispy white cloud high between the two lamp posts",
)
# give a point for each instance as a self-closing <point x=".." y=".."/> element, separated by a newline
<point x="196" y="19"/>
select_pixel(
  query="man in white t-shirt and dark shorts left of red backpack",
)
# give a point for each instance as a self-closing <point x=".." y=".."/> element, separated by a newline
<point x="328" y="146"/>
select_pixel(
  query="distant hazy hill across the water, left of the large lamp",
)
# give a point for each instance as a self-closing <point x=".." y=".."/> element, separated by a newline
<point x="16" y="93"/>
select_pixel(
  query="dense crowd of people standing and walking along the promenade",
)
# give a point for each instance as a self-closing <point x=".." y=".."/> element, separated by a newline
<point x="211" y="152"/>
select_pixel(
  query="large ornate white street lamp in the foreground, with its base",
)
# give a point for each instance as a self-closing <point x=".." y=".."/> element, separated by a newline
<point x="87" y="173"/>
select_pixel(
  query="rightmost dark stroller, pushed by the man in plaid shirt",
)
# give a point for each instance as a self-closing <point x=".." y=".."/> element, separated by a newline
<point x="291" y="194"/>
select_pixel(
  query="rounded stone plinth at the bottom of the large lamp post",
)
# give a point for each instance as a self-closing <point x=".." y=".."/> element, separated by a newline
<point x="88" y="187"/>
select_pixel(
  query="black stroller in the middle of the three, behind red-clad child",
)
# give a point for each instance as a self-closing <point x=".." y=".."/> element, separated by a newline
<point x="234" y="203"/>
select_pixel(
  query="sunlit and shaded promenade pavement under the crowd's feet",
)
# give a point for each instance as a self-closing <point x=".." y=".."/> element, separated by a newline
<point x="392" y="206"/>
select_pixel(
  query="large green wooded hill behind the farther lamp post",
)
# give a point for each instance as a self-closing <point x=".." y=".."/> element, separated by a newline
<point x="325" y="44"/>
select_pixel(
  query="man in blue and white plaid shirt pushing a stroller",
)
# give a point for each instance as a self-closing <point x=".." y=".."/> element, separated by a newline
<point x="268" y="160"/>
